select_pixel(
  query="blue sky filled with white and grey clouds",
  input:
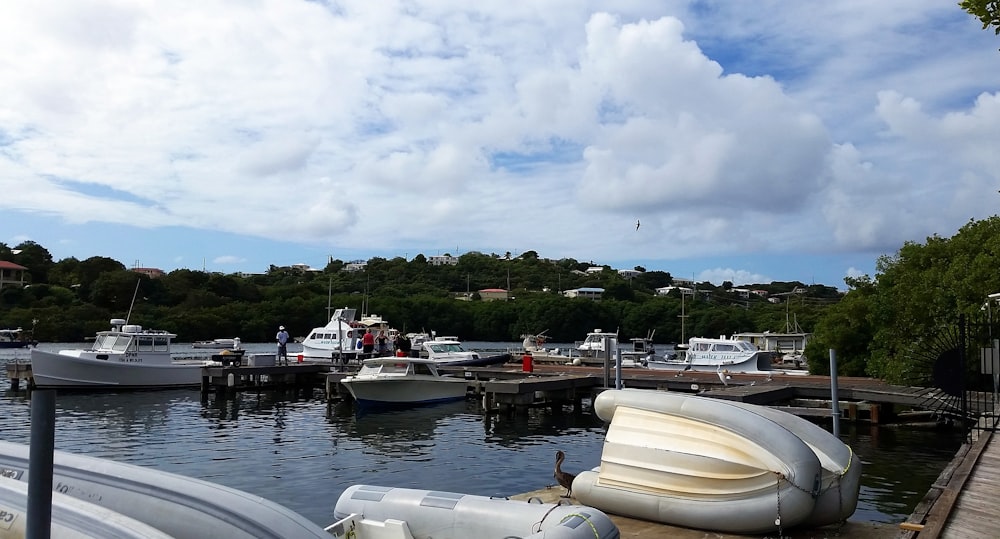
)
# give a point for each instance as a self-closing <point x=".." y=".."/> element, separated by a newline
<point x="715" y="140"/>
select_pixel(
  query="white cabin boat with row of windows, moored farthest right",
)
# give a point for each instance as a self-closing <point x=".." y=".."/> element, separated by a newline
<point x="716" y="355"/>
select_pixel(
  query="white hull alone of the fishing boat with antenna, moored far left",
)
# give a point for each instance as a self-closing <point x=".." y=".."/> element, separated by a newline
<point x="86" y="371"/>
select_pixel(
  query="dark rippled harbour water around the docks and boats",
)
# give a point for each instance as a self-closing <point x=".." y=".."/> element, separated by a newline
<point x="297" y="450"/>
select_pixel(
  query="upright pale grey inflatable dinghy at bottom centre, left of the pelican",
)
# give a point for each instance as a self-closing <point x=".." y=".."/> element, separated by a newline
<point x="365" y="512"/>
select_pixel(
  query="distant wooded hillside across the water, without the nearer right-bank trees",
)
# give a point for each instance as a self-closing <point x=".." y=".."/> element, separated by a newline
<point x="72" y="299"/>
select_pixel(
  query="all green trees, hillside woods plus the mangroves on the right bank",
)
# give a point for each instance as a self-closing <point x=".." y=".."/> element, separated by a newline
<point x="885" y="326"/>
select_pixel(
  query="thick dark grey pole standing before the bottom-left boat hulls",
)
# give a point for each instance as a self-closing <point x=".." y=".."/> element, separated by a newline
<point x="40" y="464"/>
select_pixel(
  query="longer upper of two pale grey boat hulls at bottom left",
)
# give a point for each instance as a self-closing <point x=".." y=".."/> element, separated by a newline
<point x="176" y="505"/>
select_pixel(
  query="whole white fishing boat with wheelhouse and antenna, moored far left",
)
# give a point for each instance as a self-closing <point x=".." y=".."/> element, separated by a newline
<point x="127" y="356"/>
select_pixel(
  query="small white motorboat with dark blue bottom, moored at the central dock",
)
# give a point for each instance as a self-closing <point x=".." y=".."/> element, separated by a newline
<point x="391" y="381"/>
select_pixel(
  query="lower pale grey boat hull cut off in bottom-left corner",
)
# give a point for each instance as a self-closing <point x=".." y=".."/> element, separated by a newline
<point x="71" y="518"/>
